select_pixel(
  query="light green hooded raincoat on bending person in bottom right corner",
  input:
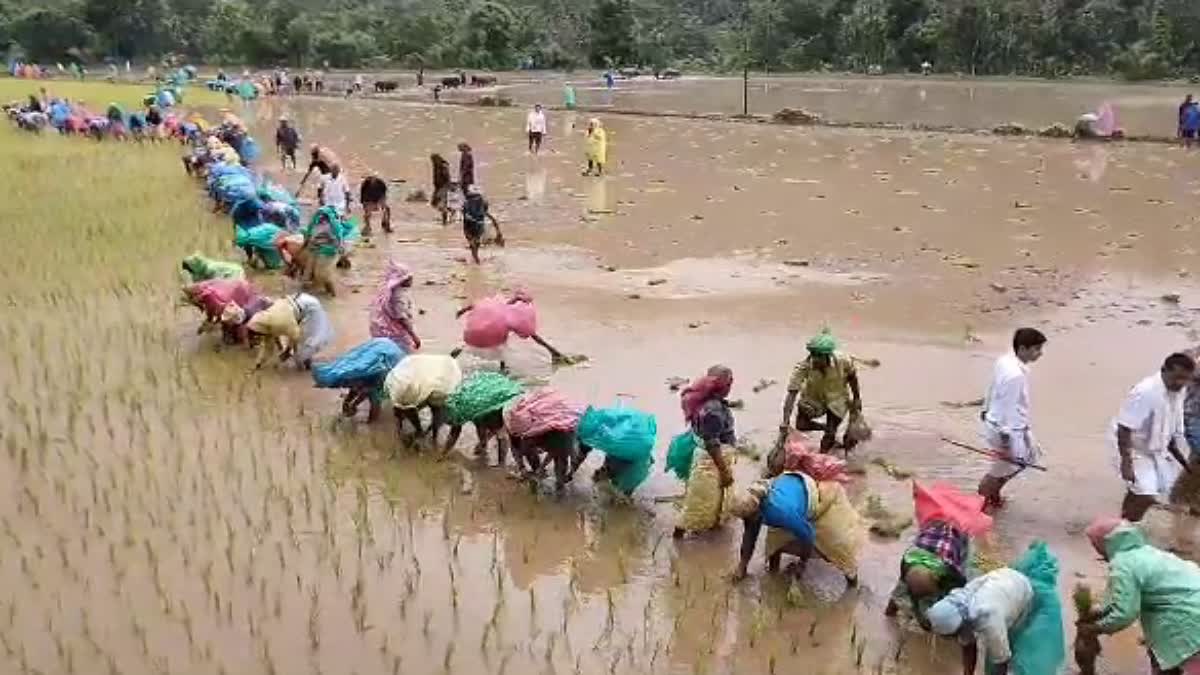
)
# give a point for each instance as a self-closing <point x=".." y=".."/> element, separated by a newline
<point x="1159" y="587"/>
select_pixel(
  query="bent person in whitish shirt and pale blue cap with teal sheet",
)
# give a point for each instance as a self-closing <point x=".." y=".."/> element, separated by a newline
<point x="1012" y="613"/>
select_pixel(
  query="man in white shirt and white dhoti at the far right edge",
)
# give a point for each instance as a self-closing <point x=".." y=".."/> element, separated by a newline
<point x="1150" y="437"/>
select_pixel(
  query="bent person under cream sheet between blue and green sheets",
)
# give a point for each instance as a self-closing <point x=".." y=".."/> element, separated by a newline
<point x="422" y="383"/>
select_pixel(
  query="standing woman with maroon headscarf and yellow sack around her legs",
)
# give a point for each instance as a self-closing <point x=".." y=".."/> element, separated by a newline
<point x="711" y="422"/>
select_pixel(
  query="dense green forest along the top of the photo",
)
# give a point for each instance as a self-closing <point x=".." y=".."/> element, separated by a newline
<point x="1136" y="39"/>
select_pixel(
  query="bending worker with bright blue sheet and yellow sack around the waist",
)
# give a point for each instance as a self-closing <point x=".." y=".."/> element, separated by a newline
<point x="806" y="510"/>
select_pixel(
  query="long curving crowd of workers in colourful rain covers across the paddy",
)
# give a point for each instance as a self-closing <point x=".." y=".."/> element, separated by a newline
<point x="1013" y="613"/>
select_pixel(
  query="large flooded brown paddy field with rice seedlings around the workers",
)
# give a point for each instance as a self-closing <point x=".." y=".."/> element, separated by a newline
<point x="171" y="512"/>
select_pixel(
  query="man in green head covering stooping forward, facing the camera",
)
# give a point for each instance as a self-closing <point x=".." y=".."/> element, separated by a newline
<point x="825" y="386"/>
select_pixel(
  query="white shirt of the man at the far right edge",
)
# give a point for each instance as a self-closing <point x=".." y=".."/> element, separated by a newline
<point x="1155" y="416"/>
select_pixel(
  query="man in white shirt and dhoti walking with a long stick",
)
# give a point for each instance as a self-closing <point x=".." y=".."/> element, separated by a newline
<point x="1006" y="415"/>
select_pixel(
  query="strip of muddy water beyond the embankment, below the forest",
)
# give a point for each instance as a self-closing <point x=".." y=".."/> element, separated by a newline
<point x="974" y="104"/>
